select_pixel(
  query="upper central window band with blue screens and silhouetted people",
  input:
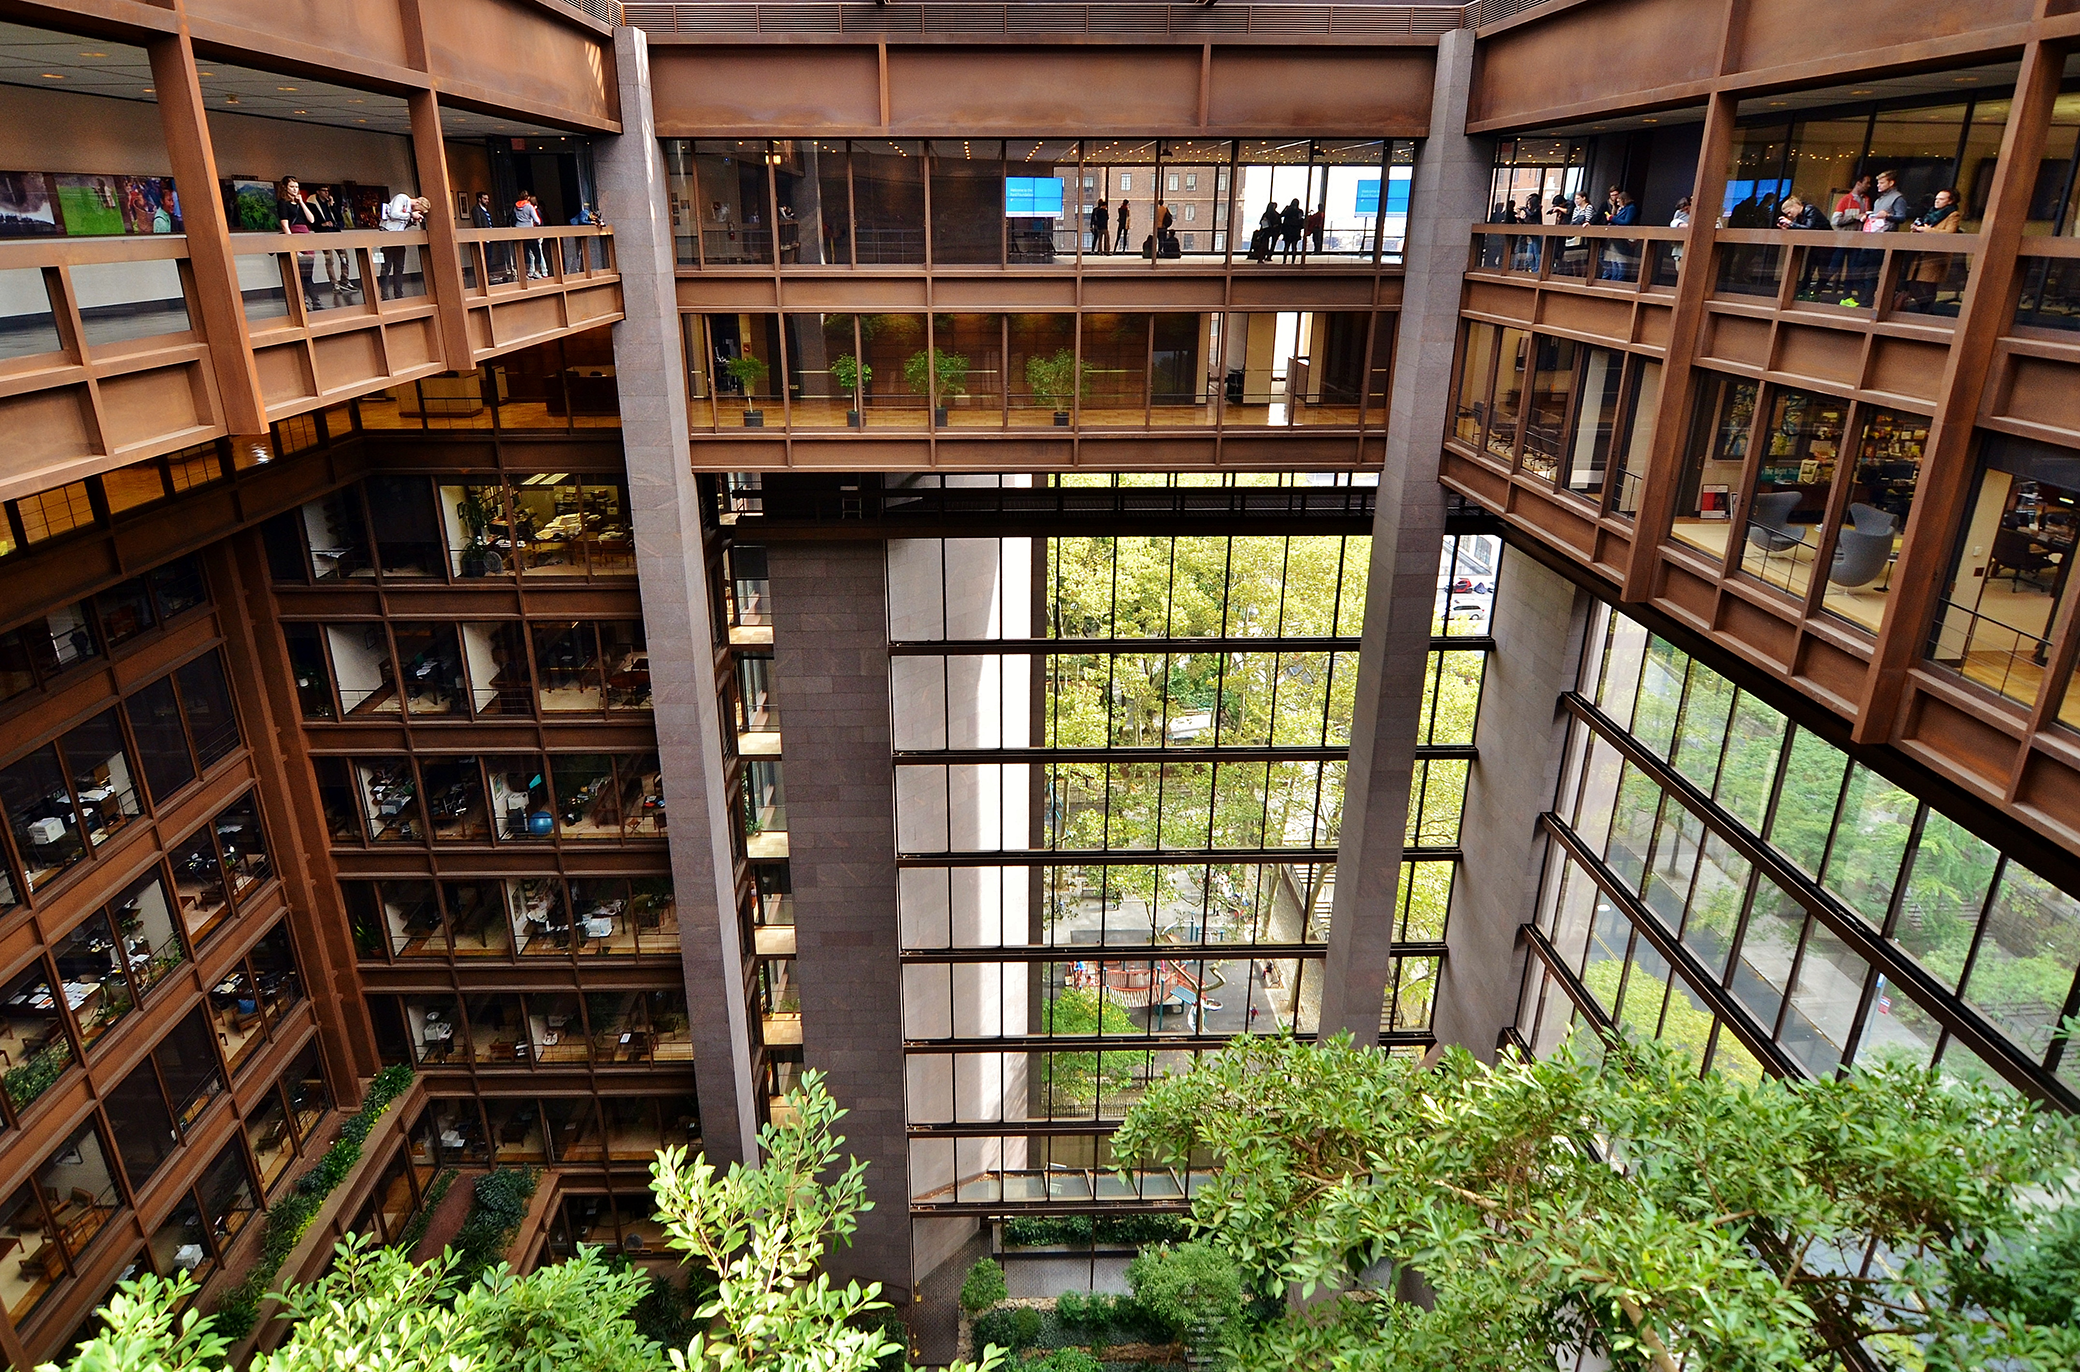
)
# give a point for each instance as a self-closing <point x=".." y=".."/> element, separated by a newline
<point x="1037" y="203"/>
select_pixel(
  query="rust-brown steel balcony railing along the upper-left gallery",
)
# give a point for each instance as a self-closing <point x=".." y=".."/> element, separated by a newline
<point x="105" y="352"/>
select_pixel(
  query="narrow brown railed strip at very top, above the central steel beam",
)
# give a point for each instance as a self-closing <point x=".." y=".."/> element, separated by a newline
<point x="1020" y="20"/>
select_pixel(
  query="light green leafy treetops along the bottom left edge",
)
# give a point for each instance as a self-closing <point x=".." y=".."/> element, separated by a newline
<point x="760" y="1228"/>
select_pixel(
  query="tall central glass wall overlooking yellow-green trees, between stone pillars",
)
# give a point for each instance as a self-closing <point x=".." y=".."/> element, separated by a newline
<point x="1108" y="833"/>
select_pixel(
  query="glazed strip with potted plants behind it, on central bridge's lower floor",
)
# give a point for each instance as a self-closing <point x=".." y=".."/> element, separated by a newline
<point x="1174" y="371"/>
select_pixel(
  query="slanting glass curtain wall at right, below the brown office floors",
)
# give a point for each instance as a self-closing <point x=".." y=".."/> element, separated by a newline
<point x="1736" y="885"/>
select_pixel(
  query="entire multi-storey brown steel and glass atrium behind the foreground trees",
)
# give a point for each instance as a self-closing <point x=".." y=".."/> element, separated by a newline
<point x="617" y="554"/>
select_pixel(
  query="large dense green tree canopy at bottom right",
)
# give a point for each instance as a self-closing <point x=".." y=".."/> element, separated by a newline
<point x="1628" y="1207"/>
